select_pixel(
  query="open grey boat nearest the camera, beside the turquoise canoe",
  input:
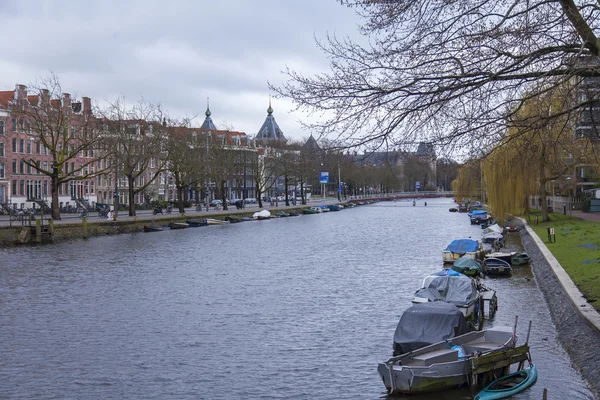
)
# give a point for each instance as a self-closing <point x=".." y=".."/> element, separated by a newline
<point x="446" y="364"/>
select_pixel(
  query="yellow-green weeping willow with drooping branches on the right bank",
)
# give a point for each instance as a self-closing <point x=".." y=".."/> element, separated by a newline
<point x="536" y="150"/>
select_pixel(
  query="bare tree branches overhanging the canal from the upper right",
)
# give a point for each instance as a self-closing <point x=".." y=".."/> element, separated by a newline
<point x="447" y="71"/>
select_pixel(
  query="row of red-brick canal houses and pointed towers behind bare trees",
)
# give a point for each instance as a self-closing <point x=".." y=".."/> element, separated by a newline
<point x="22" y="186"/>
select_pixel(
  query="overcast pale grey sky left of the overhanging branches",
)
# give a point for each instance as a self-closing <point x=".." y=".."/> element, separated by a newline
<point x="177" y="53"/>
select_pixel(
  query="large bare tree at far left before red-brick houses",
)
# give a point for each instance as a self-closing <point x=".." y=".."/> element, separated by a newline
<point x="67" y="131"/>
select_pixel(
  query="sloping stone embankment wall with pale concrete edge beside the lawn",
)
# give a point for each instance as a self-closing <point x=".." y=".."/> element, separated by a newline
<point x="577" y="323"/>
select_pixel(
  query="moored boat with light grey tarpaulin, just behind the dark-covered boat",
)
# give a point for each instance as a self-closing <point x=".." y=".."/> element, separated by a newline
<point x="451" y="287"/>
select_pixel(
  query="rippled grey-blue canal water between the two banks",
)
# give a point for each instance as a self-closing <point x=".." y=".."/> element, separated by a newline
<point x="295" y="308"/>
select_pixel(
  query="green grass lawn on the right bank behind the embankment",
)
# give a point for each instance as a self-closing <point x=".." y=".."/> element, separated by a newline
<point x="577" y="249"/>
